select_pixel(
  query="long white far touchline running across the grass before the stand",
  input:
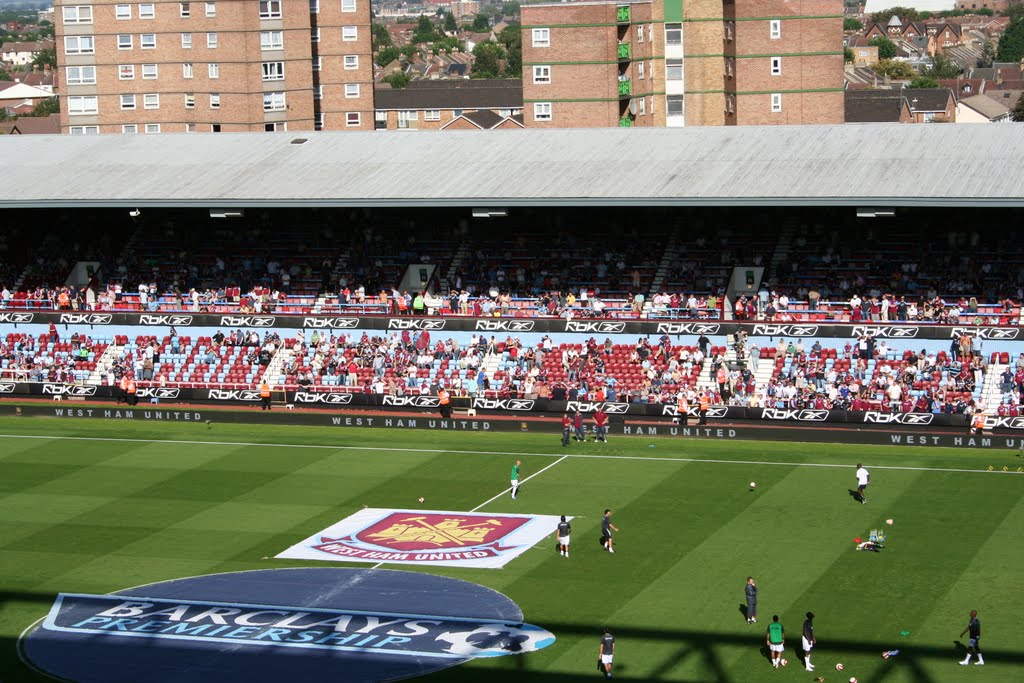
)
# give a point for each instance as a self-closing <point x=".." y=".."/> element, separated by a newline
<point x="711" y="461"/>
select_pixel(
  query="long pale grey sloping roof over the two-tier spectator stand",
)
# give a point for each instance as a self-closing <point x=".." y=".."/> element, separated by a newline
<point x="854" y="165"/>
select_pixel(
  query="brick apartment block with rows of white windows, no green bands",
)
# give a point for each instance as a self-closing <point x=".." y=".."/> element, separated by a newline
<point x="215" y="66"/>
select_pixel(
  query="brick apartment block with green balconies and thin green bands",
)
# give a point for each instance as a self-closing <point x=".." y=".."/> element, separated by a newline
<point x="670" y="63"/>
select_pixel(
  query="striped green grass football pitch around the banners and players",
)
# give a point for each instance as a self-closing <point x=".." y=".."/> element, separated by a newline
<point x="98" y="507"/>
